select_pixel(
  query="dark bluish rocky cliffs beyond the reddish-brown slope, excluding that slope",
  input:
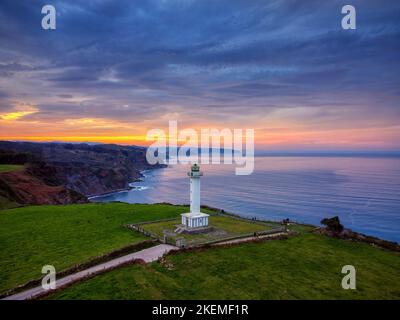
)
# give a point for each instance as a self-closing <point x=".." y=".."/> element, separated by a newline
<point x="81" y="168"/>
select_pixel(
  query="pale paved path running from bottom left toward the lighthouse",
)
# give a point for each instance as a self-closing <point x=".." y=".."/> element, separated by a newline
<point x="148" y="255"/>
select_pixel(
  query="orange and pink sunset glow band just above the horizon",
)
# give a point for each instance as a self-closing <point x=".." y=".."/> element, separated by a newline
<point x="15" y="126"/>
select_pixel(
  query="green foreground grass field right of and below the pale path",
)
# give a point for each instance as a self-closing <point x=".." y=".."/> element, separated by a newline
<point x="303" y="267"/>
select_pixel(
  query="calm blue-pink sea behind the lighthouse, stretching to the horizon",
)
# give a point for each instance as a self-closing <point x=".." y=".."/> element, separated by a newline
<point x="363" y="191"/>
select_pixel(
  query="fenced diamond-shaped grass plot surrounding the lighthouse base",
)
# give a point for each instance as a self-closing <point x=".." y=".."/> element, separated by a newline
<point x="223" y="227"/>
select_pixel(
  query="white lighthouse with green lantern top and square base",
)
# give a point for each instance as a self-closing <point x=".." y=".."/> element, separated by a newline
<point x="195" y="218"/>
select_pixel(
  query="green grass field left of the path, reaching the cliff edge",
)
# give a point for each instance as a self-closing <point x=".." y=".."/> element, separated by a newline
<point x="62" y="236"/>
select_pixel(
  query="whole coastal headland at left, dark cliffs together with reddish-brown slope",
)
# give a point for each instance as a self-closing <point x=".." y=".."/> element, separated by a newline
<point x="80" y="170"/>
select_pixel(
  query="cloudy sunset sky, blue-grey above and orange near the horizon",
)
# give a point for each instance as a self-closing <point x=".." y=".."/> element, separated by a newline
<point x="112" y="70"/>
